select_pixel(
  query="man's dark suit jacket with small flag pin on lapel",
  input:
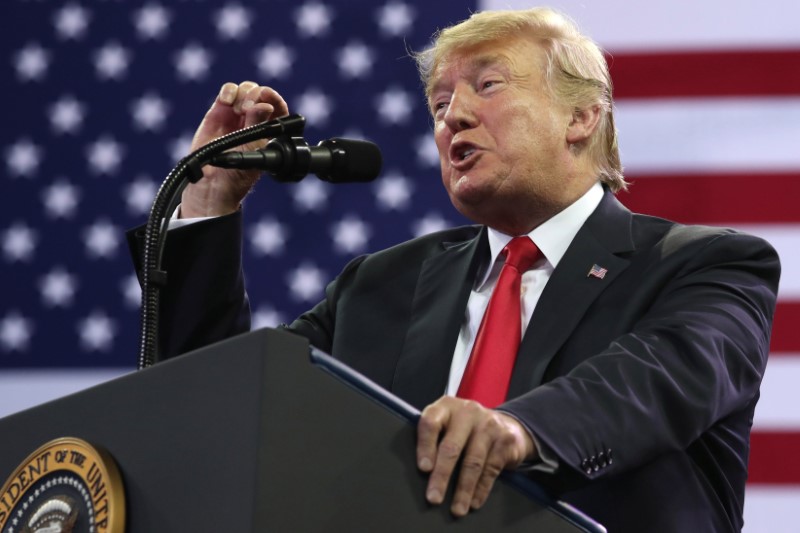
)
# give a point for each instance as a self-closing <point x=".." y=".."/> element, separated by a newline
<point x="642" y="383"/>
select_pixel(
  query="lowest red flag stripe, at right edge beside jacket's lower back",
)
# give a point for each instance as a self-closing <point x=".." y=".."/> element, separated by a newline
<point x="774" y="458"/>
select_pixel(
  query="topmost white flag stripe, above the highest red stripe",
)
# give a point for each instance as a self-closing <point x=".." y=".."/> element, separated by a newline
<point x="621" y="25"/>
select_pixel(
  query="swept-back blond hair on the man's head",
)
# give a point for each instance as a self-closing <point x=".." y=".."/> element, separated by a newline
<point x="576" y="73"/>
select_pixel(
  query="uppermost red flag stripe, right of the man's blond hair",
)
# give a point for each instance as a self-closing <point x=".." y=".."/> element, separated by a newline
<point x="693" y="74"/>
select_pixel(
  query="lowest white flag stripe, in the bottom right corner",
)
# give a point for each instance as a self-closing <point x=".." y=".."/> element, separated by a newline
<point x="771" y="509"/>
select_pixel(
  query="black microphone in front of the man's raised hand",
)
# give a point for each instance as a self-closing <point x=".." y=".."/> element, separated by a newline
<point x="290" y="159"/>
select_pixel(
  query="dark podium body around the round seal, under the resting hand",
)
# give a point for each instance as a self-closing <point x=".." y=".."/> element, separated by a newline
<point x="252" y="434"/>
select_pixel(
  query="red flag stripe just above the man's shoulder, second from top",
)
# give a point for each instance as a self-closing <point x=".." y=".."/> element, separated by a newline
<point x="755" y="198"/>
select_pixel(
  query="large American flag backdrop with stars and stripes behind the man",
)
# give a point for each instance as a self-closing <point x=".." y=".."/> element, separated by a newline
<point x="100" y="99"/>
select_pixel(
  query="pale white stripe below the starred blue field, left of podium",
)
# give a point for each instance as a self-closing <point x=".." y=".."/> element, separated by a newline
<point x="21" y="389"/>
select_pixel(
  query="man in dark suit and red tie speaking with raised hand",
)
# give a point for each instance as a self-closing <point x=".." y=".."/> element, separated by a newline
<point x="632" y="392"/>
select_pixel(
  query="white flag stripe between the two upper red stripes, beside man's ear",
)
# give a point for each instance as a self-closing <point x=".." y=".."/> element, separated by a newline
<point x="708" y="134"/>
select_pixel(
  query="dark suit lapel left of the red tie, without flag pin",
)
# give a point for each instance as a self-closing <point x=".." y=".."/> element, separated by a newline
<point x="440" y="301"/>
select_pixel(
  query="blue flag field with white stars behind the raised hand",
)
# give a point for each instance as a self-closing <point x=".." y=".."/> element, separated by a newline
<point x="107" y="98"/>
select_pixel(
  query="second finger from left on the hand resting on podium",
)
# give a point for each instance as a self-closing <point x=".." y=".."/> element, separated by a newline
<point x="457" y="435"/>
